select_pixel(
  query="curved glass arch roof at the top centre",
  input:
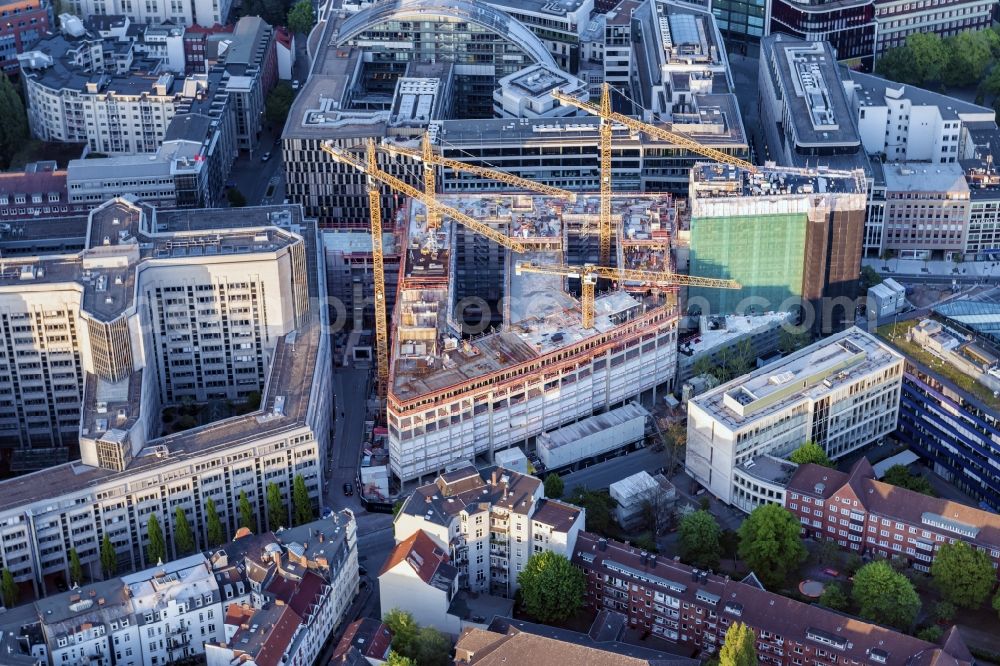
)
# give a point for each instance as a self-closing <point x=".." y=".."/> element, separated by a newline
<point x="471" y="11"/>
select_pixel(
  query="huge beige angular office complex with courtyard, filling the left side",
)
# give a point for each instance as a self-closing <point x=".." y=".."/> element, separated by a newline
<point x="159" y="307"/>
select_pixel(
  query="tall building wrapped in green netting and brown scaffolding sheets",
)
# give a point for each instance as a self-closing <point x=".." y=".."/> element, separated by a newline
<point x="773" y="232"/>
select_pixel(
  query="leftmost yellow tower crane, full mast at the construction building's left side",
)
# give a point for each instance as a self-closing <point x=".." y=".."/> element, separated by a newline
<point x="369" y="166"/>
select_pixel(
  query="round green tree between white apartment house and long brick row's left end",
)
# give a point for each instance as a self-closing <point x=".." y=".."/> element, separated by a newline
<point x="551" y="587"/>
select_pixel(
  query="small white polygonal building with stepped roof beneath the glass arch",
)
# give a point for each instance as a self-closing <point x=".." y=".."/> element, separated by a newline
<point x="528" y="93"/>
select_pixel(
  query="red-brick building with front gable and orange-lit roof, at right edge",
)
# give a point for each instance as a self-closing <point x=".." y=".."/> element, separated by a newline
<point x="869" y="516"/>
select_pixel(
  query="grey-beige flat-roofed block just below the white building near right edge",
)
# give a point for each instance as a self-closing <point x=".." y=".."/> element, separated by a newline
<point x="926" y="211"/>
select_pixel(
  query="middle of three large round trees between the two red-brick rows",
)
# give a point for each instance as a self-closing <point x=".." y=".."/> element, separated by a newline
<point x="884" y="595"/>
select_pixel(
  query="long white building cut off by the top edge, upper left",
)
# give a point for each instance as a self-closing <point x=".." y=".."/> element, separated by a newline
<point x="206" y="13"/>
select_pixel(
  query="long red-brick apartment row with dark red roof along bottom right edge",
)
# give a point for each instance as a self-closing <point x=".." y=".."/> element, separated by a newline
<point x="693" y="609"/>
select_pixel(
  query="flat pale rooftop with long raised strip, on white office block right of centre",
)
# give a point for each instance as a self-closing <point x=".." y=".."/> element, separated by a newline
<point x="808" y="374"/>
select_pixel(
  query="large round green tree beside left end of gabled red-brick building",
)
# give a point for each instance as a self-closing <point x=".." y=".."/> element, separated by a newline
<point x="770" y="545"/>
